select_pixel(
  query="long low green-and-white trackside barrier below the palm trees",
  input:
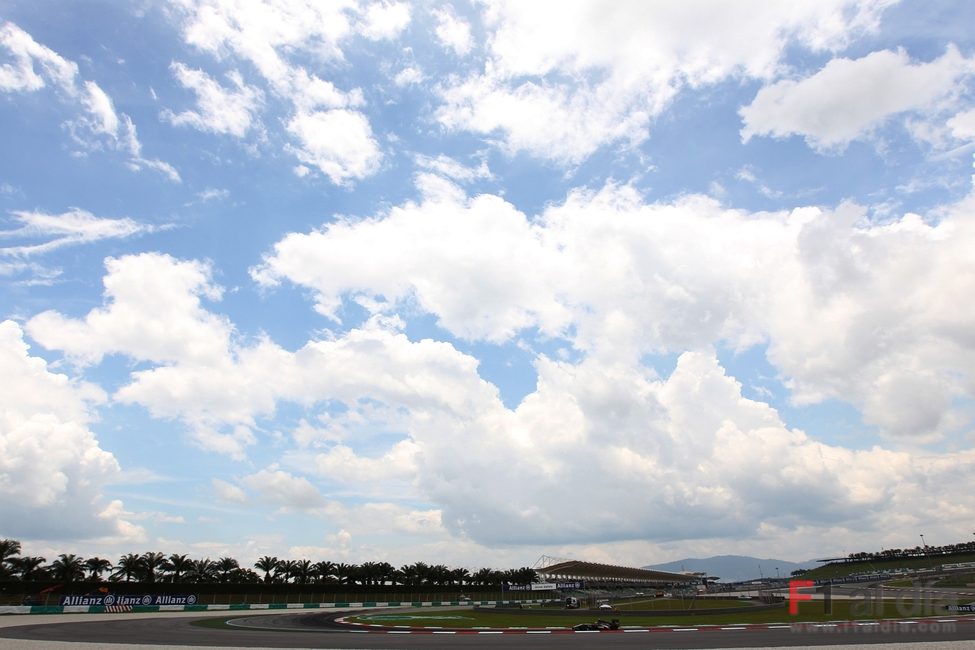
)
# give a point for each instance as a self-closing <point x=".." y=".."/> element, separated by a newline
<point x="99" y="609"/>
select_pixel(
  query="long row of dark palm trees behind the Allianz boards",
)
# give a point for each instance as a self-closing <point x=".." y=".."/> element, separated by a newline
<point x="151" y="567"/>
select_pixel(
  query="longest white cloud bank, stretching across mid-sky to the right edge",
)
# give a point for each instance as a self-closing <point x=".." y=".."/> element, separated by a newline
<point x="617" y="278"/>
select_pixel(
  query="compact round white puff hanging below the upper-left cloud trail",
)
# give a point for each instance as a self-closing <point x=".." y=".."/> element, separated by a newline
<point x="338" y="142"/>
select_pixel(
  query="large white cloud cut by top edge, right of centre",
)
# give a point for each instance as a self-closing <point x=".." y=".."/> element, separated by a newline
<point x="565" y="78"/>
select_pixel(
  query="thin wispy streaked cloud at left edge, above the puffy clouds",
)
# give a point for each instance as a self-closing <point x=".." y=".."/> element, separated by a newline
<point x="67" y="229"/>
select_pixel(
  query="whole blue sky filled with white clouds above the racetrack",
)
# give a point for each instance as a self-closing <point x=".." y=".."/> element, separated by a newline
<point x="473" y="283"/>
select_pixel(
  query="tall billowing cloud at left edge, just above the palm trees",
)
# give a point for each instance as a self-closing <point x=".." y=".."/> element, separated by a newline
<point x="51" y="464"/>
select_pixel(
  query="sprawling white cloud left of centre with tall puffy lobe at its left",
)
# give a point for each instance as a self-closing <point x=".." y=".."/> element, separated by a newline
<point x="200" y="373"/>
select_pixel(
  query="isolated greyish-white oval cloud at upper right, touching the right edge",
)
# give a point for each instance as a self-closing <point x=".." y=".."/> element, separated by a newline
<point x="847" y="99"/>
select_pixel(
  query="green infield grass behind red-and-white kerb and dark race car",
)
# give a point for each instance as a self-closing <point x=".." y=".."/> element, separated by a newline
<point x="808" y="611"/>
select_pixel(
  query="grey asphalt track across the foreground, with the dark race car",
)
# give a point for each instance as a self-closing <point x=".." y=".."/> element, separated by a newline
<point x="316" y="630"/>
